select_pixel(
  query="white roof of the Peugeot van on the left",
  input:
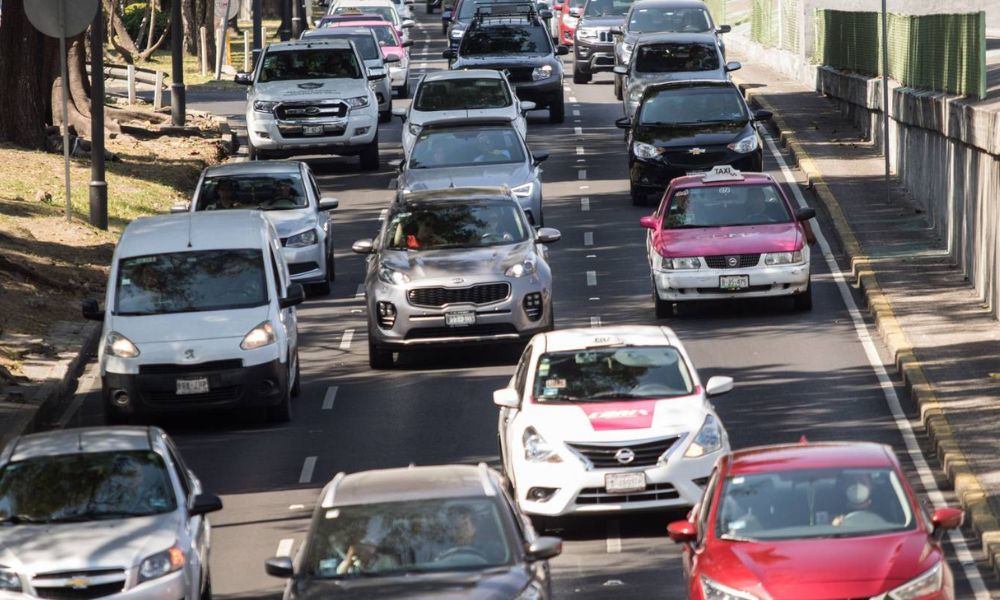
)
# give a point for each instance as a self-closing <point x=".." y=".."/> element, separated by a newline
<point x="208" y="230"/>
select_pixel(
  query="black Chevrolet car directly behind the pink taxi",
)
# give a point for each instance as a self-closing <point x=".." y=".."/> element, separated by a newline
<point x="689" y="126"/>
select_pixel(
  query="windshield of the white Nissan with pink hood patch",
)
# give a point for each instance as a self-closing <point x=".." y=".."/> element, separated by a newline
<point x="609" y="374"/>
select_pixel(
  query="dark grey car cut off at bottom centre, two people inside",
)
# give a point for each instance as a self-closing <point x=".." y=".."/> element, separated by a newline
<point x="445" y="532"/>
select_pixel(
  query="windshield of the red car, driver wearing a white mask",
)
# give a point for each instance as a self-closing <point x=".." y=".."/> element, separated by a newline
<point x="814" y="503"/>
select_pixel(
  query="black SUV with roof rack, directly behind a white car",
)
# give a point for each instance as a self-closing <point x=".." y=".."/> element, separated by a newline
<point x="512" y="37"/>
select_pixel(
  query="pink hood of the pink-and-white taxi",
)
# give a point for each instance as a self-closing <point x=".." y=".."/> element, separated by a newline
<point x="747" y="239"/>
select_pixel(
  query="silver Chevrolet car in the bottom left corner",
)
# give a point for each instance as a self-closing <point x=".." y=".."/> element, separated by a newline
<point x="98" y="512"/>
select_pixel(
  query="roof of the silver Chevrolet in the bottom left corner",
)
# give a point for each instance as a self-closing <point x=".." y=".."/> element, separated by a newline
<point x="78" y="441"/>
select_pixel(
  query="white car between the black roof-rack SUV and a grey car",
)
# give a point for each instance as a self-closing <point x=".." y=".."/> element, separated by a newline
<point x="444" y="96"/>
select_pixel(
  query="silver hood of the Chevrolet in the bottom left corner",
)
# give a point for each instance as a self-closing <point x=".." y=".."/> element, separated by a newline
<point x="117" y="543"/>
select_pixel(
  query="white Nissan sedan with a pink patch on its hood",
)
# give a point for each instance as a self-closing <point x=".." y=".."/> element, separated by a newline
<point x="607" y="420"/>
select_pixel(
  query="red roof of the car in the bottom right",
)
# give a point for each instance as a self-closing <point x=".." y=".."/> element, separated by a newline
<point x="793" y="457"/>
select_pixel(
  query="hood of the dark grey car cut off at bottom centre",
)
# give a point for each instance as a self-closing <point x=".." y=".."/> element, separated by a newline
<point x="497" y="584"/>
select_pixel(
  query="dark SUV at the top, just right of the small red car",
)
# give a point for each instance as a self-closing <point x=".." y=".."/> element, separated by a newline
<point x="594" y="40"/>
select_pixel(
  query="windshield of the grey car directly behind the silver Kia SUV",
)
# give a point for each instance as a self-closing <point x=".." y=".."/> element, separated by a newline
<point x="436" y="148"/>
